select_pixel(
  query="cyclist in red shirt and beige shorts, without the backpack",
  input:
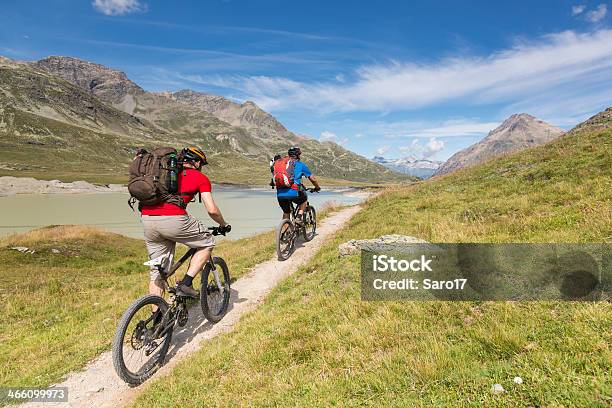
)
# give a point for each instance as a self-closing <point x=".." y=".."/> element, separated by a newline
<point x="165" y="224"/>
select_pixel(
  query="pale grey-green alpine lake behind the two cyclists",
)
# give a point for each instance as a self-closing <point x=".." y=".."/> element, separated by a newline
<point x="249" y="211"/>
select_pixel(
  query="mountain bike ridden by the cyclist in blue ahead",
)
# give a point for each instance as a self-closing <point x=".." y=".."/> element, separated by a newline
<point x="288" y="231"/>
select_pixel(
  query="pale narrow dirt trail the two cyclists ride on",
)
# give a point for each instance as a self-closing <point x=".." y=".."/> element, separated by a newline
<point x="98" y="386"/>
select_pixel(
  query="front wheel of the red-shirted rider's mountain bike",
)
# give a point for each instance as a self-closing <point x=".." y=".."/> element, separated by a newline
<point x="214" y="297"/>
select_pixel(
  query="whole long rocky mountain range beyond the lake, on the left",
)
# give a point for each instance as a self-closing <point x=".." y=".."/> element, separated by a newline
<point x="60" y="113"/>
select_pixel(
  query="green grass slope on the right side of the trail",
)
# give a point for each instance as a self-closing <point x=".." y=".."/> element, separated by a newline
<point x="314" y="343"/>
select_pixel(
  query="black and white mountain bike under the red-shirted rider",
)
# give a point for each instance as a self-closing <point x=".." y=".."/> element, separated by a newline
<point x="143" y="336"/>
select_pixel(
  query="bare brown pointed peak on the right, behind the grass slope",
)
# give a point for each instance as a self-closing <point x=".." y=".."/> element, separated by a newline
<point x="518" y="132"/>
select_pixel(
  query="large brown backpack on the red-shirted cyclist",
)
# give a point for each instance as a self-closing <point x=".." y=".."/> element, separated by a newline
<point x="154" y="178"/>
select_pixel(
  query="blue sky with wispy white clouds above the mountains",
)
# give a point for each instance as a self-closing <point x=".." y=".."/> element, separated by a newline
<point x="395" y="78"/>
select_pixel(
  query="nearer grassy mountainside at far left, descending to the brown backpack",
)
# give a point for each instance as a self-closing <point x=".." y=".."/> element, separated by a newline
<point x="52" y="128"/>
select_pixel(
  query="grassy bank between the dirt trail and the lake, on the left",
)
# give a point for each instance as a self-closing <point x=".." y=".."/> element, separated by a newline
<point x="60" y="310"/>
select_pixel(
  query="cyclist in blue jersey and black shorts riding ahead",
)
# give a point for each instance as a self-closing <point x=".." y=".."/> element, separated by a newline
<point x="296" y="193"/>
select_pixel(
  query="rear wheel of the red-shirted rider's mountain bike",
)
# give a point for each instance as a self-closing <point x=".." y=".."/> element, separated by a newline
<point x="137" y="352"/>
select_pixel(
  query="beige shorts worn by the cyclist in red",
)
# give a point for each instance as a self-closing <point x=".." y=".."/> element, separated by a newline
<point x="164" y="231"/>
